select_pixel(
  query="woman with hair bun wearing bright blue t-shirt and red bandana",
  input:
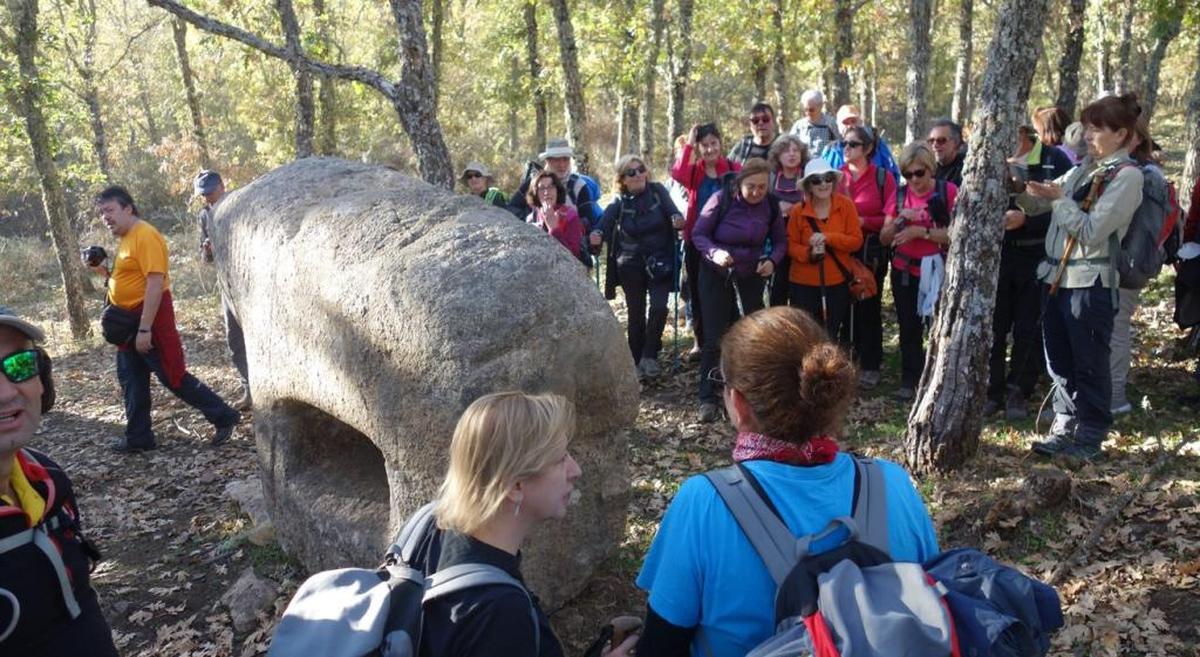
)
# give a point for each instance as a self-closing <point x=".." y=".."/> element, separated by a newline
<point x="788" y="390"/>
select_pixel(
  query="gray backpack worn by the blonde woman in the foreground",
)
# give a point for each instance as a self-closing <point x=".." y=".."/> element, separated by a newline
<point x="359" y="612"/>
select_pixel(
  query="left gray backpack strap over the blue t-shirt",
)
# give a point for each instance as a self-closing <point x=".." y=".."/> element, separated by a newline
<point x="770" y="537"/>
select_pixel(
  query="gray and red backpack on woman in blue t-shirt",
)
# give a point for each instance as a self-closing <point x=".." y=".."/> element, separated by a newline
<point x="851" y="601"/>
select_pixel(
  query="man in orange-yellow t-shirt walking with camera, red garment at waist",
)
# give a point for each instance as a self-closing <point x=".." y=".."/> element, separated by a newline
<point x="141" y="284"/>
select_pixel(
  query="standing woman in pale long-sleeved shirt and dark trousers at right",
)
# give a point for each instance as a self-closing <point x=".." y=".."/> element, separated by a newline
<point x="1091" y="209"/>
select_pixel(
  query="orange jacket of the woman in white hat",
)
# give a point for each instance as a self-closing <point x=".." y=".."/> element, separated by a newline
<point x="843" y="232"/>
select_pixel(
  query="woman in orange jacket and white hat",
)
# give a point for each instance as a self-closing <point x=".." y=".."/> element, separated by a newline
<point x="821" y="236"/>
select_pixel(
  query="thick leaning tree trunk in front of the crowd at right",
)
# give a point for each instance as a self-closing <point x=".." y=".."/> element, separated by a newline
<point x="947" y="417"/>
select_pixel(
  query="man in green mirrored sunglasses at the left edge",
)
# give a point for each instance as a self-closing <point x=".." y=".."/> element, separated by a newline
<point x="47" y="606"/>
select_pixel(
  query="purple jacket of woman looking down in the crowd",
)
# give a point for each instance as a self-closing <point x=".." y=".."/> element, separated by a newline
<point x="743" y="233"/>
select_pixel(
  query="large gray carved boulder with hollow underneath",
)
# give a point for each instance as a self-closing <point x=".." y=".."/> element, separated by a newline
<point x="376" y="309"/>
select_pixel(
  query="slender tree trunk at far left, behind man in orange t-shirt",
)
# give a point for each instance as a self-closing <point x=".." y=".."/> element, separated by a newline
<point x="29" y="100"/>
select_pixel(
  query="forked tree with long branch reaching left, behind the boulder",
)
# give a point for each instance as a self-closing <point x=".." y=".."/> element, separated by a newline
<point x="412" y="97"/>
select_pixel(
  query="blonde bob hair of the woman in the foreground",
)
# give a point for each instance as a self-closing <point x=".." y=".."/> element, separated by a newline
<point x="501" y="439"/>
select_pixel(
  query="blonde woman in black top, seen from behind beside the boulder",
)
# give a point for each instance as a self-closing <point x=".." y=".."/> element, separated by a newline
<point x="511" y="471"/>
